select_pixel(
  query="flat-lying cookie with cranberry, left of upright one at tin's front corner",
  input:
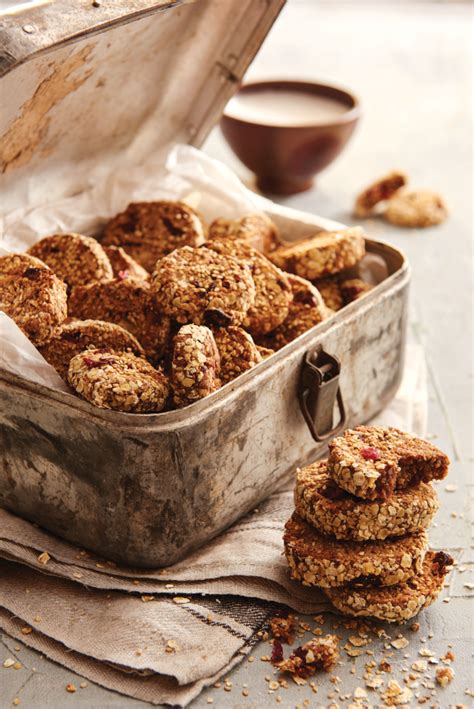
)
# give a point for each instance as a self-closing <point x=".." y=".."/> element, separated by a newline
<point x="118" y="380"/>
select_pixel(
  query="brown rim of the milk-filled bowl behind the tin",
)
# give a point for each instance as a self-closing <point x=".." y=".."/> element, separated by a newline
<point x="313" y="87"/>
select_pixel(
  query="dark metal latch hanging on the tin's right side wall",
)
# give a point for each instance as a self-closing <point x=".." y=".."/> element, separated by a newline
<point x="318" y="392"/>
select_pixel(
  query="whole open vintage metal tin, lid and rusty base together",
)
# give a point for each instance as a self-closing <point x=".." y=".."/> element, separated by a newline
<point x="146" y="489"/>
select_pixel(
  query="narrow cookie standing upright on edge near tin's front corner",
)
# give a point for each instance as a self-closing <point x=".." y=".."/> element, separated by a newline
<point x="195" y="365"/>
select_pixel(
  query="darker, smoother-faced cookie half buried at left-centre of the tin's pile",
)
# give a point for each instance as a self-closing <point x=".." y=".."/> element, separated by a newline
<point x="128" y="303"/>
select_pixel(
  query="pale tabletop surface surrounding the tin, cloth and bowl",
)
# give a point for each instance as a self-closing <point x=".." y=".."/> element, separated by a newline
<point x="411" y="64"/>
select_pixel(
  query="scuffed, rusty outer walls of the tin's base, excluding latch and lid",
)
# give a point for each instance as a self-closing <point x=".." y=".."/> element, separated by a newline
<point x="146" y="489"/>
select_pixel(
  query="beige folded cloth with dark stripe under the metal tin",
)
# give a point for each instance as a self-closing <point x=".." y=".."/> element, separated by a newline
<point x="114" y="625"/>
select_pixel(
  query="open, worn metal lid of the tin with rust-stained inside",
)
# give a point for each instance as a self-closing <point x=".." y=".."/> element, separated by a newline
<point x="90" y="86"/>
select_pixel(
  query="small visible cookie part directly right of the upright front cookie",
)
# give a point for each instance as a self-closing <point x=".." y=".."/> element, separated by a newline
<point x="237" y="350"/>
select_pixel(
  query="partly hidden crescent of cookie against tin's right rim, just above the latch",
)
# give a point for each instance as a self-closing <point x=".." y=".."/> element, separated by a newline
<point x="306" y="310"/>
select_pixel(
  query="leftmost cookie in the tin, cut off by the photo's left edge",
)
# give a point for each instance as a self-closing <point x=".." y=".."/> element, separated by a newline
<point x="32" y="295"/>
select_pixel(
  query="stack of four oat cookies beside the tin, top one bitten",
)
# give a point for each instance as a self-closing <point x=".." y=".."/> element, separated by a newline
<point x="359" y="528"/>
